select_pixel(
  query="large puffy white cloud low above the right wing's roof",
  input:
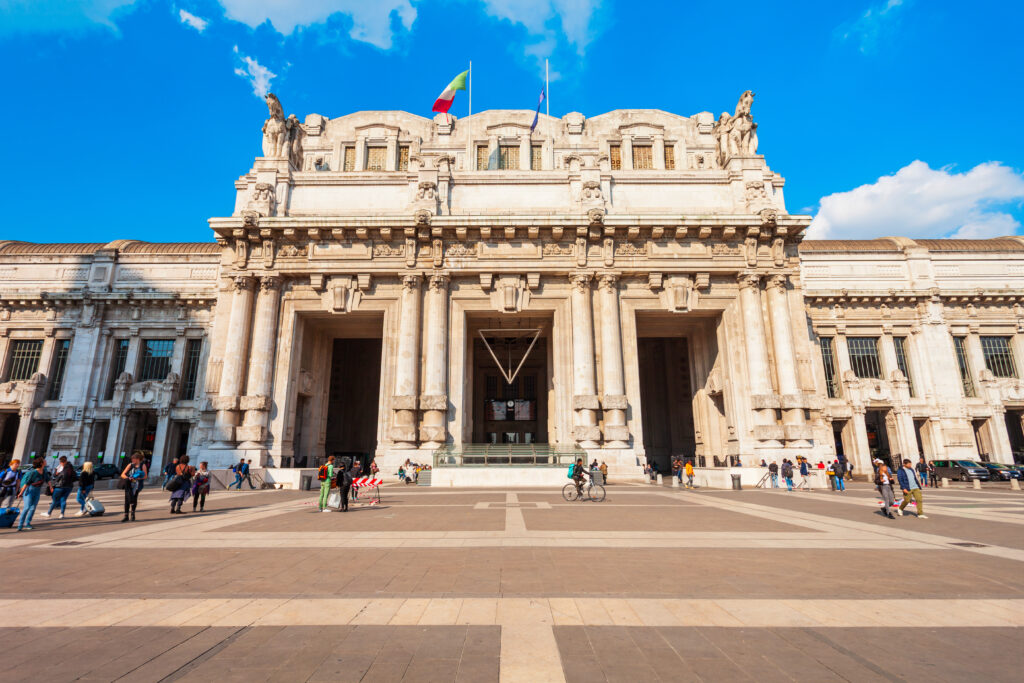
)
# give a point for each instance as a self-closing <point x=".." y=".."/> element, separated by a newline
<point x="921" y="202"/>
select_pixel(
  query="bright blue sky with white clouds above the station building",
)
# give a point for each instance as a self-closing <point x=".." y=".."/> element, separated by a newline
<point x="133" y="119"/>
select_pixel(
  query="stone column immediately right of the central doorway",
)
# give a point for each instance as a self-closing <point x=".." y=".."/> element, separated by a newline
<point x="585" y="403"/>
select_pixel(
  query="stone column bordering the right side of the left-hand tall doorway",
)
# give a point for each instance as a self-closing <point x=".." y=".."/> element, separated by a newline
<point x="407" y="376"/>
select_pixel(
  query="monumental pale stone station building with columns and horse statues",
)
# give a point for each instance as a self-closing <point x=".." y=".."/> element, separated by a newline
<point x="354" y="302"/>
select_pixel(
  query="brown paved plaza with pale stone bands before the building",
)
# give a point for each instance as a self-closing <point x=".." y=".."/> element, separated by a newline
<point x="456" y="585"/>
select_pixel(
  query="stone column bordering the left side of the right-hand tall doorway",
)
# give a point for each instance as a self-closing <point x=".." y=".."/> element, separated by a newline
<point x="617" y="434"/>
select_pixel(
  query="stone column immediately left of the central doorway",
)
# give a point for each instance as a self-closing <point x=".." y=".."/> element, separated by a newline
<point x="434" y="403"/>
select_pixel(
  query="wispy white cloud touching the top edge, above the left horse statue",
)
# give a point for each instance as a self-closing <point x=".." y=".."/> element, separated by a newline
<point x="371" y="20"/>
